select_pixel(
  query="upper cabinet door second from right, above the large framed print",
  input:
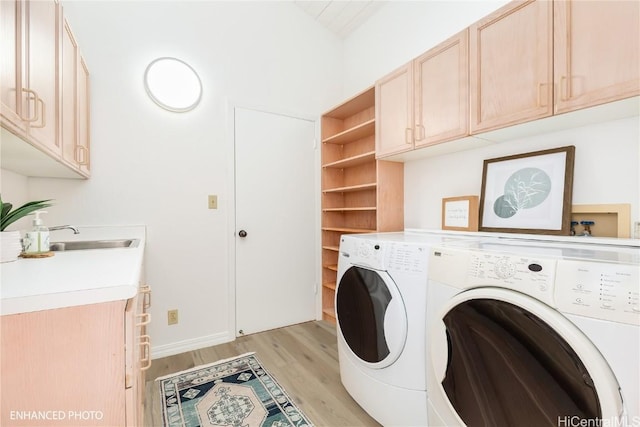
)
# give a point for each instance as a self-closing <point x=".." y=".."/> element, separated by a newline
<point x="511" y="66"/>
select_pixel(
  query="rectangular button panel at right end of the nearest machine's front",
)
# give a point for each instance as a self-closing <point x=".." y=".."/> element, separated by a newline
<point x="599" y="290"/>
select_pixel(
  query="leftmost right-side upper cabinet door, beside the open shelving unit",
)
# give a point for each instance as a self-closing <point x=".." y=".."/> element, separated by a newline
<point x="394" y="112"/>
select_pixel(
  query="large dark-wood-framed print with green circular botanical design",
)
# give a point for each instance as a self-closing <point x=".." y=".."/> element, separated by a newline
<point x="528" y="193"/>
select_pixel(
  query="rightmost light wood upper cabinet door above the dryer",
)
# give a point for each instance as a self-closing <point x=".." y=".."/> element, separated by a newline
<point x="596" y="52"/>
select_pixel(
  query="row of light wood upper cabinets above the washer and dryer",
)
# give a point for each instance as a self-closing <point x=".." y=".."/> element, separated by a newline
<point x="526" y="61"/>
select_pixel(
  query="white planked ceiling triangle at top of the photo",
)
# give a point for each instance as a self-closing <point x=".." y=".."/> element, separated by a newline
<point x="340" y="16"/>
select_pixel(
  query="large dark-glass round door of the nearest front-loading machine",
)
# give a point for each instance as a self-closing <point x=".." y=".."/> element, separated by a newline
<point x="507" y="366"/>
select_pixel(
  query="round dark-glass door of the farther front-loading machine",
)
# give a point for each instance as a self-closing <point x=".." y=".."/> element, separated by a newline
<point x="371" y="316"/>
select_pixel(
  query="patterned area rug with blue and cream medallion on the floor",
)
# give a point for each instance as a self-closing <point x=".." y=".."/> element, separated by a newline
<point x="235" y="392"/>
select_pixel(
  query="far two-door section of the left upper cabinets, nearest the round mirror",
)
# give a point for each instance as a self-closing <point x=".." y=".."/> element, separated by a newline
<point x="75" y="104"/>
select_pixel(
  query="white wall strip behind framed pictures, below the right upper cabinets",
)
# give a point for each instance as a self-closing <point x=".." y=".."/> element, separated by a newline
<point x="606" y="169"/>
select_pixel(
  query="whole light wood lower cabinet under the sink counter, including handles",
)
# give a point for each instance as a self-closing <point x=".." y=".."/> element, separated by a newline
<point x="76" y="366"/>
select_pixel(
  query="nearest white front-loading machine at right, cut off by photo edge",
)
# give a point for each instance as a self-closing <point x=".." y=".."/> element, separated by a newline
<point x="532" y="333"/>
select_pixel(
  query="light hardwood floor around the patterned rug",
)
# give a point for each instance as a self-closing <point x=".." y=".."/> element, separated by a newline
<point x="304" y="360"/>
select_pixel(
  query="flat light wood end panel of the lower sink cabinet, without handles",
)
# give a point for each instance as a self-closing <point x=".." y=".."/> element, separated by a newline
<point x="67" y="361"/>
